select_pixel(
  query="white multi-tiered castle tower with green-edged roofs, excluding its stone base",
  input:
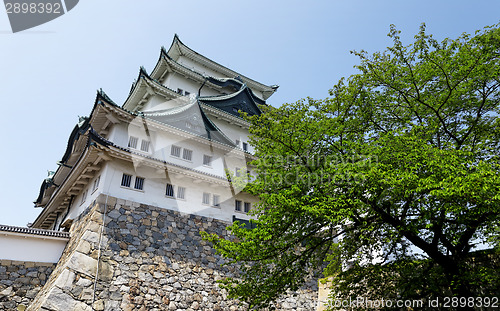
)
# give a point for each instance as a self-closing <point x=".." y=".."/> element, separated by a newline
<point x="171" y="144"/>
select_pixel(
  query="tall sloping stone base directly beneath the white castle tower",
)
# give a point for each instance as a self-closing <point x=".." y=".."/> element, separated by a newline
<point x="147" y="258"/>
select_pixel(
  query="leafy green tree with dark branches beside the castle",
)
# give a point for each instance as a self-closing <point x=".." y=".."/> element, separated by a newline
<point x="391" y="183"/>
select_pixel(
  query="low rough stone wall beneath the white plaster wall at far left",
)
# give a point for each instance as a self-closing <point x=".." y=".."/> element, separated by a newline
<point x="20" y="282"/>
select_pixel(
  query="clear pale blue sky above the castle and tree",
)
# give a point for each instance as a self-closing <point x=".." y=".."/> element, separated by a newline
<point x="50" y="74"/>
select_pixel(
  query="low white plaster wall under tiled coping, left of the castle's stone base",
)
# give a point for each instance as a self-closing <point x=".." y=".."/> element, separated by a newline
<point x="24" y="247"/>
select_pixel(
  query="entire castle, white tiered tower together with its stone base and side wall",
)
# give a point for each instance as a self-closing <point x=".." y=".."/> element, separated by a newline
<point x="134" y="189"/>
